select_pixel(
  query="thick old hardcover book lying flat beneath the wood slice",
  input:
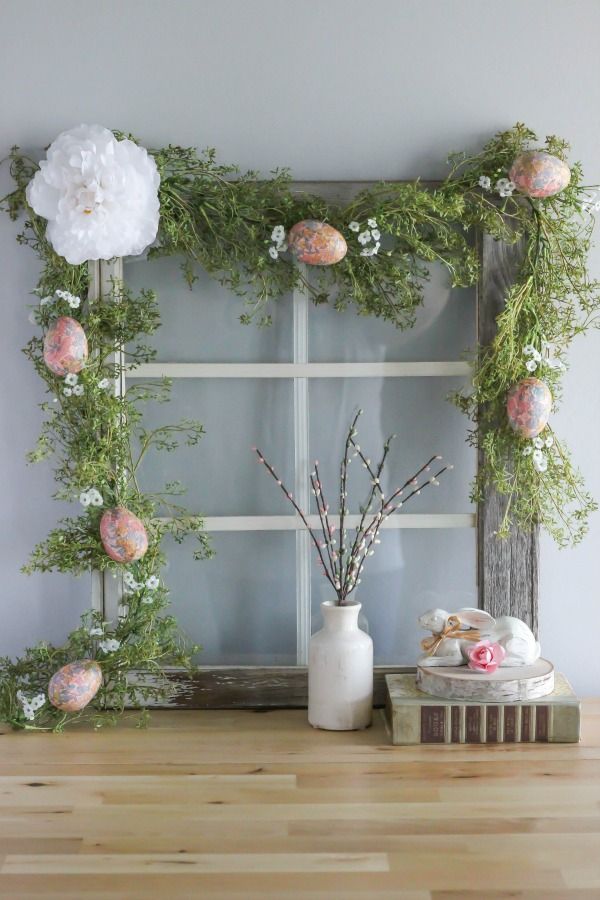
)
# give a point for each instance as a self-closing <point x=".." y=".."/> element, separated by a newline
<point x="417" y="718"/>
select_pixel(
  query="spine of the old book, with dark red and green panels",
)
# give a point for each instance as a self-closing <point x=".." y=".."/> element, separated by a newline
<point x="464" y="723"/>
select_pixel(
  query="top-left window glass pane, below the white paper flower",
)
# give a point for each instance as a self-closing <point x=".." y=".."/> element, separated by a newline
<point x="202" y="324"/>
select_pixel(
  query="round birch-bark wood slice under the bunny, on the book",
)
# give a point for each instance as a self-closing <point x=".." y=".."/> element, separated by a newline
<point x="505" y="684"/>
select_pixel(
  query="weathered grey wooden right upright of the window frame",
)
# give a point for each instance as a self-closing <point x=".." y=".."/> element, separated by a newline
<point x="507" y="569"/>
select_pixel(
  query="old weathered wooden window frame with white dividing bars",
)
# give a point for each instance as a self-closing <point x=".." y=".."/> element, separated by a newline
<point x="507" y="570"/>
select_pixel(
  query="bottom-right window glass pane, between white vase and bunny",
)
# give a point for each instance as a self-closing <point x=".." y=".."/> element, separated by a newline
<point x="413" y="570"/>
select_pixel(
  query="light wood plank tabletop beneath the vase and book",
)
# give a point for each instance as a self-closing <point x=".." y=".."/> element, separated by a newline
<point x="258" y="805"/>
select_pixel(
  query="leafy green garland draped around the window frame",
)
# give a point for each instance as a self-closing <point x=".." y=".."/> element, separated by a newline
<point x="215" y="217"/>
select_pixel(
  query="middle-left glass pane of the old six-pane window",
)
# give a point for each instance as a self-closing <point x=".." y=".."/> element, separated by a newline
<point x="221" y="473"/>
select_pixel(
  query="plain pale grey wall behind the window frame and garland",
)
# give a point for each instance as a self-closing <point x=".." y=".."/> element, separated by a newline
<point x="337" y="89"/>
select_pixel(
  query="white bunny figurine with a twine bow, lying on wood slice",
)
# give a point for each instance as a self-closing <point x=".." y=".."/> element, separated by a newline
<point x="448" y="647"/>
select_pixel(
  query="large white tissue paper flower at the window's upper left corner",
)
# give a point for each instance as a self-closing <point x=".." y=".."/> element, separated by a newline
<point x="100" y="195"/>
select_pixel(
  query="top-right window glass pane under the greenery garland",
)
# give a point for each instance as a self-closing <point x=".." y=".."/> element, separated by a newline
<point x="444" y="329"/>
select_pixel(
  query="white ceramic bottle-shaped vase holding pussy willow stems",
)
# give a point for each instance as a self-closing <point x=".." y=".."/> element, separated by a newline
<point x="340" y="671"/>
